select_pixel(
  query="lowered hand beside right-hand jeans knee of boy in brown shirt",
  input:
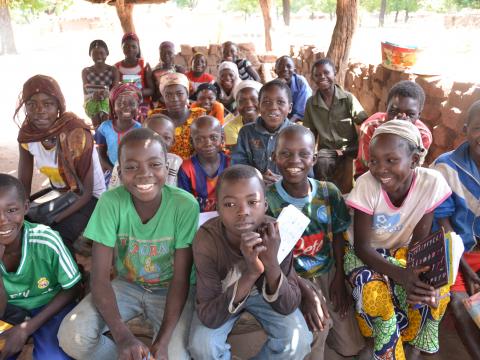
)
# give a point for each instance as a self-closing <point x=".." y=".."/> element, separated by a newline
<point x="314" y="310"/>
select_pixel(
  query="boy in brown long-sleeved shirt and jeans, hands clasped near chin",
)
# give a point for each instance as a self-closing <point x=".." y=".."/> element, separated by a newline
<point x="235" y="258"/>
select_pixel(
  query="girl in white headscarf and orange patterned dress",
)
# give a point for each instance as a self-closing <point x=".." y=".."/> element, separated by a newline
<point x="174" y="89"/>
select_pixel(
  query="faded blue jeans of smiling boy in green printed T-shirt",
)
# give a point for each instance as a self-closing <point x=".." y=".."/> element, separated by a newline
<point x="82" y="333"/>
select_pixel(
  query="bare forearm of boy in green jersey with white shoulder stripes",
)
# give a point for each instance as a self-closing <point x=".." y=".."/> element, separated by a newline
<point x="16" y="337"/>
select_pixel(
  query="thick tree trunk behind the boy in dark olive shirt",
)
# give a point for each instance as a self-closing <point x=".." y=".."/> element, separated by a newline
<point x="338" y="52"/>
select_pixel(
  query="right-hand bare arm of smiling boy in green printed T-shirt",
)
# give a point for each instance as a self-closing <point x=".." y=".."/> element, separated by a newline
<point x="176" y="299"/>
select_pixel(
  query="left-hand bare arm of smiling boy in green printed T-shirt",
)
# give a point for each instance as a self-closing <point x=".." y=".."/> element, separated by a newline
<point x="105" y="301"/>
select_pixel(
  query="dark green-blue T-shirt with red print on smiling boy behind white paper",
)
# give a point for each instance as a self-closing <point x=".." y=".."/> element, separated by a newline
<point x="313" y="251"/>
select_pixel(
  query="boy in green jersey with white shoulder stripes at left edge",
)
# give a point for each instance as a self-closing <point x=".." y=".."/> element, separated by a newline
<point x="39" y="277"/>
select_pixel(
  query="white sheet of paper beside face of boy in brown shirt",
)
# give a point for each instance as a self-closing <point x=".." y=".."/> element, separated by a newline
<point x="291" y="225"/>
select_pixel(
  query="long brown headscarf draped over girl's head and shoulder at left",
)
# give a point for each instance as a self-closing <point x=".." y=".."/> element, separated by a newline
<point x="73" y="135"/>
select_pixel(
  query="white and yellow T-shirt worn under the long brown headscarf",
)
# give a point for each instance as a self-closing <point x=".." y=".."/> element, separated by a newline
<point x="46" y="162"/>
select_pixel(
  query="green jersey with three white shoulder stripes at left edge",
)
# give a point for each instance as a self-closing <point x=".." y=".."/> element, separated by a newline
<point x="45" y="268"/>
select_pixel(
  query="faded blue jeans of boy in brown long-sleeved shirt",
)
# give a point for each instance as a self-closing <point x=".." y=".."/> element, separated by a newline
<point x="288" y="335"/>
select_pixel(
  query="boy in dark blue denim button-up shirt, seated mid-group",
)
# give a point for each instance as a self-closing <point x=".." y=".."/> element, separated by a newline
<point x="256" y="141"/>
